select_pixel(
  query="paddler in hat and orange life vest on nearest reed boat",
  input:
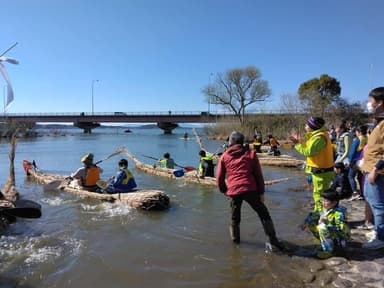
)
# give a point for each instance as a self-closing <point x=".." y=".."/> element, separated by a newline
<point x="87" y="176"/>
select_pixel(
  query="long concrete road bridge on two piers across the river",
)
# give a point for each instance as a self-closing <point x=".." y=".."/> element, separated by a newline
<point x="88" y="121"/>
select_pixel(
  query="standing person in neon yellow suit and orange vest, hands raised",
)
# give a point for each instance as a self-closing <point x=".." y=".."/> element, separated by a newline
<point x="317" y="147"/>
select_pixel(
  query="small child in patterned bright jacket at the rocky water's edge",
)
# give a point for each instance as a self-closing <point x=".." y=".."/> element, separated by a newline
<point x="329" y="226"/>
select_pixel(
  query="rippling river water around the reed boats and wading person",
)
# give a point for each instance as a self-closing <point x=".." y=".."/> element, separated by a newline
<point x="86" y="243"/>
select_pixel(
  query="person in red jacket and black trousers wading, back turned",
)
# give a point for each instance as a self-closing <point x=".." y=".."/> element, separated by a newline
<point x="239" y="176"/>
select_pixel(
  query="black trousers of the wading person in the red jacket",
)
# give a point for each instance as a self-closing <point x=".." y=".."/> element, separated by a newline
<point x="253" y="199"/>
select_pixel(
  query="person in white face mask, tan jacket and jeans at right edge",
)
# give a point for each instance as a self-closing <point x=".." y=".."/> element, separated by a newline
<point x="373" y="167"/>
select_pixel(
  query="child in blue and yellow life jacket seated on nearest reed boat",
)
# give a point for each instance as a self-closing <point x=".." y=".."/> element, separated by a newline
<point x="123" y="182"/>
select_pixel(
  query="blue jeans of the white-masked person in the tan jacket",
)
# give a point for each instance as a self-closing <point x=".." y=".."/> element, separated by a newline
<point x="374" y="195"/>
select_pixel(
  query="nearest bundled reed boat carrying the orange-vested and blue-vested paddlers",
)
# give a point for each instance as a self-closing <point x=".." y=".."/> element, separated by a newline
<point x="146" y="199"/>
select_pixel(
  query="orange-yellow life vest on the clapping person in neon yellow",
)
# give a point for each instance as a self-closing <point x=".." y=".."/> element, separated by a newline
<point x="323" y="159"/>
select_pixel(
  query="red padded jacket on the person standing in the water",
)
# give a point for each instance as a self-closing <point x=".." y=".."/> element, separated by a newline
<point x="242" y="169"/>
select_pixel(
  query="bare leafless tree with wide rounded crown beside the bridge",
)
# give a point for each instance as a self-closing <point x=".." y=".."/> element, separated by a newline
<point x="237" y="89"/>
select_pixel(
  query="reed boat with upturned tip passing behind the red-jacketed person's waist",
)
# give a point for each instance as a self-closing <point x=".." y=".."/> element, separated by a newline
<point x="190" y="176"/>
